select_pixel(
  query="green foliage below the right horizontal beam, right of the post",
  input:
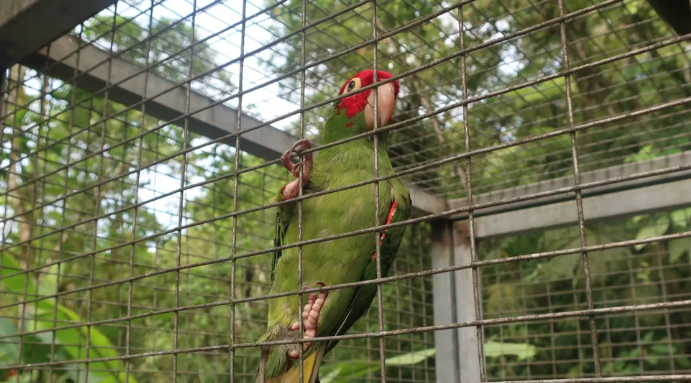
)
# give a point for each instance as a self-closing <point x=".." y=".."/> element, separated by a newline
<point x="620" y="276"/>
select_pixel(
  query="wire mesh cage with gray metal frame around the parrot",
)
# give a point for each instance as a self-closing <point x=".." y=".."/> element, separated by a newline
<point x="545" y="145"/>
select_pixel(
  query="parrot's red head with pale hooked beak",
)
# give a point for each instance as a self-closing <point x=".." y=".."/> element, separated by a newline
<point x="363" y="102"/>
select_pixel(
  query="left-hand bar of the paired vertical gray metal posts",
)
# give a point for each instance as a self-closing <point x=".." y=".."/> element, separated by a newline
<point x="444" y="299"/>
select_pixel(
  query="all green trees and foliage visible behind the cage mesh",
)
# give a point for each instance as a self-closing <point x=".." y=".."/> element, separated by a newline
<point x="630" y="344"/>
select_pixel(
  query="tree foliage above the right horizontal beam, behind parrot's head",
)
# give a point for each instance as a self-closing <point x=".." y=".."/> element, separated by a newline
<point x="598" y="92"/>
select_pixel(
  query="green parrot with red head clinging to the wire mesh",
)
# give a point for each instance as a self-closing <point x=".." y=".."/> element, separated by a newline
<point x="334" y="262"/>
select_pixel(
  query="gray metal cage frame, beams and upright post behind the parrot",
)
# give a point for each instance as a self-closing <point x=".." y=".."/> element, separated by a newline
<point x="453" y="295"/>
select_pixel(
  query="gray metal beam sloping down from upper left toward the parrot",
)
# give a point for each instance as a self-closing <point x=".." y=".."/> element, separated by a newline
<point x="269" y="143"/>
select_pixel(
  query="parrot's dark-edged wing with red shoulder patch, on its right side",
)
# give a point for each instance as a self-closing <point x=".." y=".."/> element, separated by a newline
<point x="362" y="299"/>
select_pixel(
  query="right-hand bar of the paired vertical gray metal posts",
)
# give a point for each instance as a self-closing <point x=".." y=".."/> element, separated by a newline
<point x="468" y="339"/>
